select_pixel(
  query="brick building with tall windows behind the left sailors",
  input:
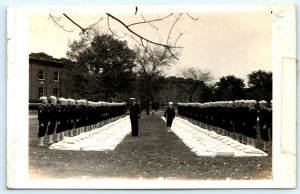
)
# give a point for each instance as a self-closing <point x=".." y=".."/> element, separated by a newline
<point x="45" y="73"/>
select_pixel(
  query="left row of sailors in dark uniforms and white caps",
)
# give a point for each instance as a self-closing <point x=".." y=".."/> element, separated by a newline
<point x="68" y="117"/>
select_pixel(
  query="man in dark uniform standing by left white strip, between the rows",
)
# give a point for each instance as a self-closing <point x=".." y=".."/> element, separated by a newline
<point x="135" y="114"/>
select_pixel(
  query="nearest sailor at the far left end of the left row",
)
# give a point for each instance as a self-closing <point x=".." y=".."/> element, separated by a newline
<point x="43" y="120"/>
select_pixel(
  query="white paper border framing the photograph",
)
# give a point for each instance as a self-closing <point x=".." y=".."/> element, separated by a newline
<point x="284" y="100"/>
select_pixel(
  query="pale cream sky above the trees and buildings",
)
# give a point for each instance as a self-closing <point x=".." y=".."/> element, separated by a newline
<point x="223" y="43"/>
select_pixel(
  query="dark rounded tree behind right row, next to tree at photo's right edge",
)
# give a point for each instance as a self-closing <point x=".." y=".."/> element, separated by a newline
<point x="230" y="88"/>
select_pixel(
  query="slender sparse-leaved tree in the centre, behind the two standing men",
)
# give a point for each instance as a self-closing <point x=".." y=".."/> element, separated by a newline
<point x="151" y="62"/>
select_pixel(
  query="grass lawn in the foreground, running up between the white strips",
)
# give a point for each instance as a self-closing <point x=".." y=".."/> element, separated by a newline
<point x="155" y="153"/>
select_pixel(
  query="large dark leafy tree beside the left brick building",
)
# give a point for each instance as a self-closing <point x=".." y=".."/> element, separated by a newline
<point x="104" y="66"/>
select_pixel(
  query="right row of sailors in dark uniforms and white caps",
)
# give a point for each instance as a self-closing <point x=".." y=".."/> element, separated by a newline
<point x="241" y="120"/>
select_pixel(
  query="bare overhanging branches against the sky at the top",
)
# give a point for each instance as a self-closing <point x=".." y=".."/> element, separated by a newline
<point x="130" y="28"/>
